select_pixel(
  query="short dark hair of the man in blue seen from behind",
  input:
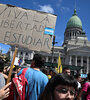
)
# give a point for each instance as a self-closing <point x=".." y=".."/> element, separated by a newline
<point x="39" y="60"/>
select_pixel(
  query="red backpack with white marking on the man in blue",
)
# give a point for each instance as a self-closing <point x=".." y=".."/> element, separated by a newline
<point x="18" y="87"/>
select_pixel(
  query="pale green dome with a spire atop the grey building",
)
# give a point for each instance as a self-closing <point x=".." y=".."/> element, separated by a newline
<point x="74" y="21"/>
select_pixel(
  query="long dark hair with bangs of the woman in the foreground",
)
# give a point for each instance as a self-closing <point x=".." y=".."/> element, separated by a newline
<point x="58" y="79"/>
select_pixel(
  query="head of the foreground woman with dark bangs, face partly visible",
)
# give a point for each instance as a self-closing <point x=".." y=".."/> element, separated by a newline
<point x="60" y="87"/>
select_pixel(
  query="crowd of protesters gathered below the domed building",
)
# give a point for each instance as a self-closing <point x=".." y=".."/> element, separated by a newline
<point x="45" y="83"/>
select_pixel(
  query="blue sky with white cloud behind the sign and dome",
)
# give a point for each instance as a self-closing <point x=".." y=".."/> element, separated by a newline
<point x="62" y="8"/>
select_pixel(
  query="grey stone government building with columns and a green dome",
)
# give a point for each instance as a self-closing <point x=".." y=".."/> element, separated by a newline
<point x="74" y="53"/>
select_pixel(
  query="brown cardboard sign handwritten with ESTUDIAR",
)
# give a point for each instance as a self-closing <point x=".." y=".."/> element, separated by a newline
<point x="26" y="28"/>
